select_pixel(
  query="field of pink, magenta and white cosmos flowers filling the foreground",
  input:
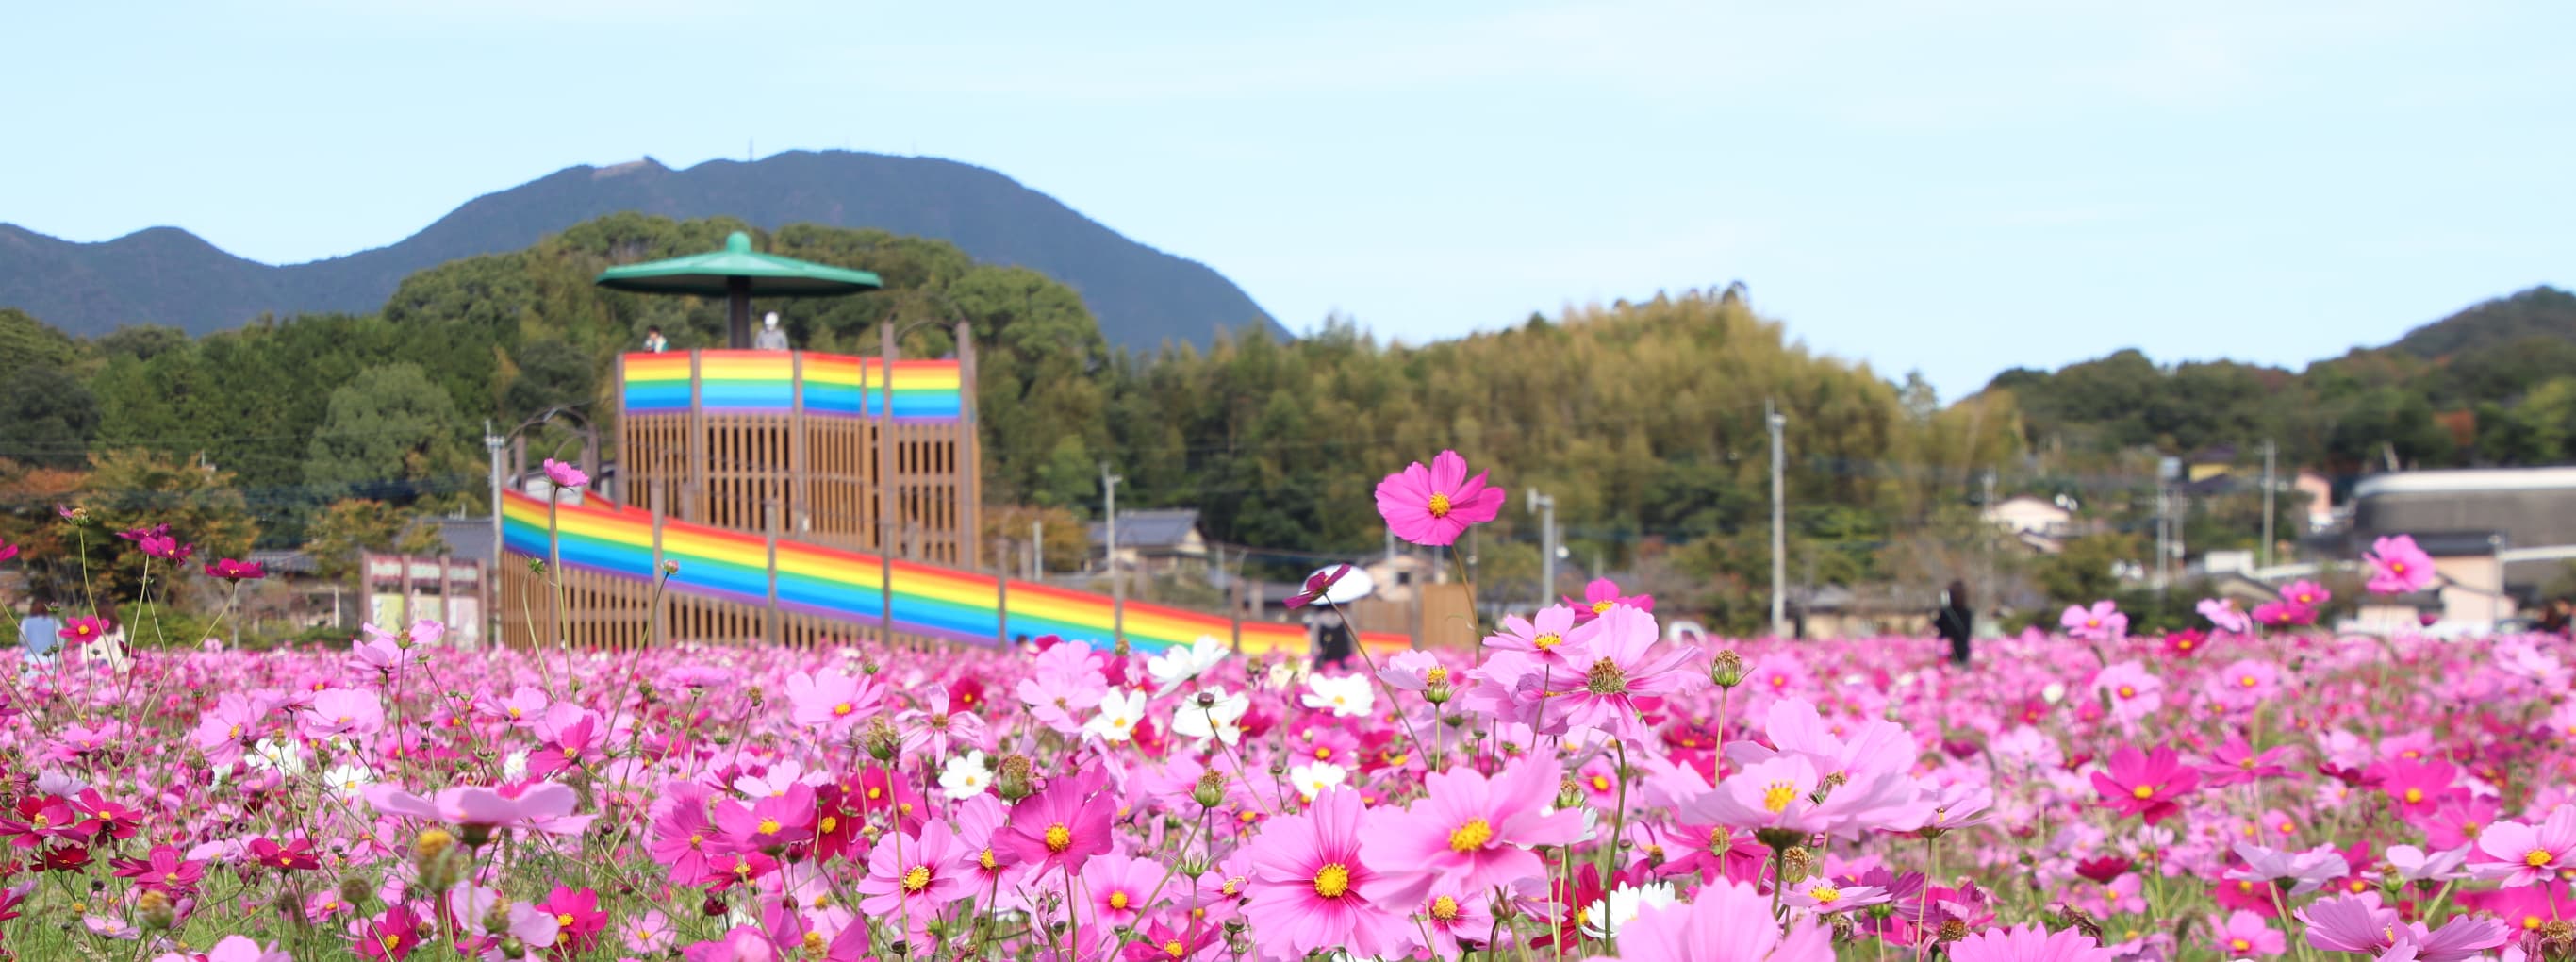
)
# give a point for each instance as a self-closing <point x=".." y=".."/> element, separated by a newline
<point x="1575" y="788"/>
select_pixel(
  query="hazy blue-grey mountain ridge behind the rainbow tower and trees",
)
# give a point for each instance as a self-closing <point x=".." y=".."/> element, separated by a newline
<point x="171" y="277"/>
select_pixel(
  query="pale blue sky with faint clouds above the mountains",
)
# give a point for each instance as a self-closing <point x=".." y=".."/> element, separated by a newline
<point x="1944" y="187"/>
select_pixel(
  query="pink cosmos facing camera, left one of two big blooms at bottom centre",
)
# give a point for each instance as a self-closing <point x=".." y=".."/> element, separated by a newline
<point x="1307" y="883"/>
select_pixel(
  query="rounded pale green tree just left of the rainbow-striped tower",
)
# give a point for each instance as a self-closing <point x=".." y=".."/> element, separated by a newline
<point x="390" y="435"/>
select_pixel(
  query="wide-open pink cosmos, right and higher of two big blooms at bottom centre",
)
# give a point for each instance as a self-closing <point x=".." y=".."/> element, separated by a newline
<point x="1470" y="832"/>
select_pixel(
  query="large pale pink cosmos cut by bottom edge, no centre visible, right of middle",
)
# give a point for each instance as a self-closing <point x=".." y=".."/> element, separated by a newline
<point x="1730" y="922"/>
